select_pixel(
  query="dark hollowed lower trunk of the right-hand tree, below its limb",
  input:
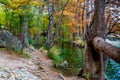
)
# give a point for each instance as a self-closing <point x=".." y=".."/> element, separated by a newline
<point x="93" y="63"/>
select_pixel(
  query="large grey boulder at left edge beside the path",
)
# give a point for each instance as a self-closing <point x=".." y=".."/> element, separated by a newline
<point x="10" y="41"/>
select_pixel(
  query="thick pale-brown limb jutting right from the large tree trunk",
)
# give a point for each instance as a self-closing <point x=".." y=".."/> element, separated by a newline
<point x="111" y="51"/>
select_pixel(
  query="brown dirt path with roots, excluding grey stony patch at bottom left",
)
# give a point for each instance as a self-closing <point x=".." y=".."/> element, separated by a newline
<point x="39" y="65"/>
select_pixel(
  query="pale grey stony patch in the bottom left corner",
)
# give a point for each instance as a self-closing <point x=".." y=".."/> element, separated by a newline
<point x="16" y="74"/>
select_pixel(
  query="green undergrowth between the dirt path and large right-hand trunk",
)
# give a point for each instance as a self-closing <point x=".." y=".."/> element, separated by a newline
<point x="67" y="59"/>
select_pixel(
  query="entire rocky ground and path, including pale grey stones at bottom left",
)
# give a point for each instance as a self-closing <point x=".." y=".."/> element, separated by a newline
<point x="39" y="67"/>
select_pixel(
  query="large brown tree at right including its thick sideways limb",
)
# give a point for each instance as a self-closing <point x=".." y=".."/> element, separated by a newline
<point x="96" y="47"/>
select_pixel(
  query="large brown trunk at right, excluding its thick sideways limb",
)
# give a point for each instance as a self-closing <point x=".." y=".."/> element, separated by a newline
<point x="94" y="63"/>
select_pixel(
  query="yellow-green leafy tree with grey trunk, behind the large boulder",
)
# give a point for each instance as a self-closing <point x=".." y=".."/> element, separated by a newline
<point x="17" y="15"/>
